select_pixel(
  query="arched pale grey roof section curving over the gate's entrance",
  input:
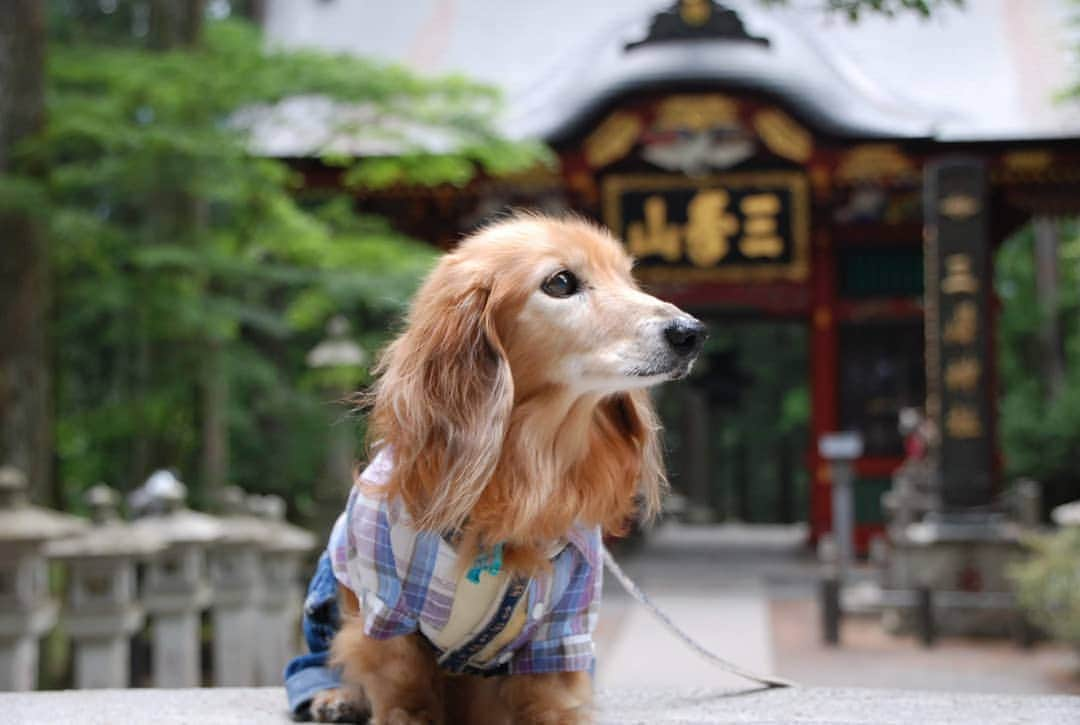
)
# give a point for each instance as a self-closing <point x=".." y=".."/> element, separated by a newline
<point x="826" y="90"/>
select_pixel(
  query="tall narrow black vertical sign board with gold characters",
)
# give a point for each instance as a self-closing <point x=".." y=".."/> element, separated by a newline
<point x="958" y="357"/>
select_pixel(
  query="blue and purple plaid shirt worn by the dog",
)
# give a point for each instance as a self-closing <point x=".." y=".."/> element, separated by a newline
<point x="407" y="581"/>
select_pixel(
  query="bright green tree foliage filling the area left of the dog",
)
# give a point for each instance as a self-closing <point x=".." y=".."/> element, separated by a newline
<point x="173" y="243"/>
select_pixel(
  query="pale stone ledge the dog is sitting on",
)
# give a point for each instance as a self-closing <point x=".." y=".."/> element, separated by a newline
<point x="805" y="705"/>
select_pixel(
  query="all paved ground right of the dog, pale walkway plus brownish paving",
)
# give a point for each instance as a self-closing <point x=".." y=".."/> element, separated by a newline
<point x="750" y="594"/>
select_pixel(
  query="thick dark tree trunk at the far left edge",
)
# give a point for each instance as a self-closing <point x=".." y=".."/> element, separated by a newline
<point x="25" y="420"/>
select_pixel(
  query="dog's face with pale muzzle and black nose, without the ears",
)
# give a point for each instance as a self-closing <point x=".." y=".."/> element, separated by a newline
<point x="579" y="320"/>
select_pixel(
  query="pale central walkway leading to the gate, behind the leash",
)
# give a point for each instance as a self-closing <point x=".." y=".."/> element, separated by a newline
<point x="713" y="582"/>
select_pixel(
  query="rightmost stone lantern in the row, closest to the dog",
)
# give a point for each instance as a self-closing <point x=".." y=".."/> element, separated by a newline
<point x="283" y="554"/>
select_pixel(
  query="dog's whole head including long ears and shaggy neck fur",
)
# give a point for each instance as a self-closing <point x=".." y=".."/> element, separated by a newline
<point x="518" y="385"/>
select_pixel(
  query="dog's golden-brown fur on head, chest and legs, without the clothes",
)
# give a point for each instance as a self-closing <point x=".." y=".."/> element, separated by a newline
<point x="509" y="421"/>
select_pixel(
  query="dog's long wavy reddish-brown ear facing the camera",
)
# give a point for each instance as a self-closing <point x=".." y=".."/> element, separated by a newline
<point x="443" y="398"/>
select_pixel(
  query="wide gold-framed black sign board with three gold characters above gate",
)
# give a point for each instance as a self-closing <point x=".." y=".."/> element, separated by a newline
<point x="730" y="227"/>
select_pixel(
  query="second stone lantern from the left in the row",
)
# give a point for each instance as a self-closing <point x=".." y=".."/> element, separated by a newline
<point x="103" y="609"/>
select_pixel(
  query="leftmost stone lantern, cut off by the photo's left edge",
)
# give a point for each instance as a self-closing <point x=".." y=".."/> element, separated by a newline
<point x="26" y="610"/>
